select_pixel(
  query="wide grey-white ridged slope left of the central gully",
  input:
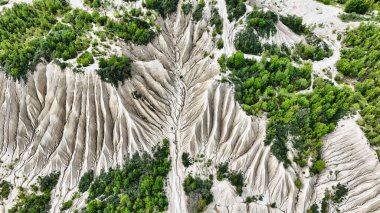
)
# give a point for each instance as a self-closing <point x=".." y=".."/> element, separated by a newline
<point x="61" y="121"/>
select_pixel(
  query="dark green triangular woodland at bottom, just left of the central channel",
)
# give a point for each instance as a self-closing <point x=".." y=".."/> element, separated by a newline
<point x="136" y="186"/>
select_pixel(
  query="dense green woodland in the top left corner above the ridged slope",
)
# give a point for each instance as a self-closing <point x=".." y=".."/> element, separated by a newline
<point x="31" y="32"/>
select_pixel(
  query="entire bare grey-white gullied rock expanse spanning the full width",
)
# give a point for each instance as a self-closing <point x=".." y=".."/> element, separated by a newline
<point x="67" y="122"/>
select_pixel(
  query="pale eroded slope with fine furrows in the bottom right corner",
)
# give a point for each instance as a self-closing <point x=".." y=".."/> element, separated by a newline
<point x="350" y="160"/>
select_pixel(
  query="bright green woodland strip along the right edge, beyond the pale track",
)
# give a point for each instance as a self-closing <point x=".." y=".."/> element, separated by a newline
<point x="360" y="62"/>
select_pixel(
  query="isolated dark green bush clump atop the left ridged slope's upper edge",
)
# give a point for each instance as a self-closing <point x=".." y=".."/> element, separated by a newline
<point x="115" y="69"/>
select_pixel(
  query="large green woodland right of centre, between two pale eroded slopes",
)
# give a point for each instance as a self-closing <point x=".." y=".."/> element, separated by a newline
<point x="279" y="89"/>
